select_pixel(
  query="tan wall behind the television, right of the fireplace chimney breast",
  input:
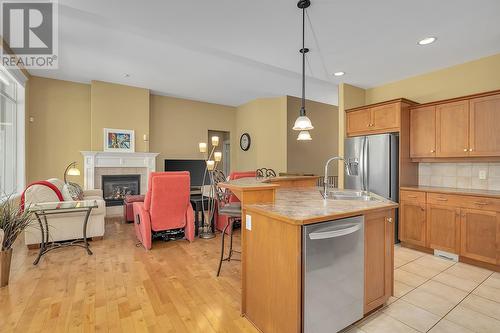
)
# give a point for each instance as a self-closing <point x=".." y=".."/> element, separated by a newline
<point x="178" y="125"/>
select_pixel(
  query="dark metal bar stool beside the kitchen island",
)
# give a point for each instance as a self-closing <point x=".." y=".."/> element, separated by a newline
<point x="230" y="209"/>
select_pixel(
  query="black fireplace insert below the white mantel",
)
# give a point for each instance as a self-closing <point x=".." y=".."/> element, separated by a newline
<point x="116" y="187"/>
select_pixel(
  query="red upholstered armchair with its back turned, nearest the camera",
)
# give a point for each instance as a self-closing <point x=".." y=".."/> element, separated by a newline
<point x="165" y="207"/>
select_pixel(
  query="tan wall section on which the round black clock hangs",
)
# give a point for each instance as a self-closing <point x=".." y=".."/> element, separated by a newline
<point x="265" y="120"/>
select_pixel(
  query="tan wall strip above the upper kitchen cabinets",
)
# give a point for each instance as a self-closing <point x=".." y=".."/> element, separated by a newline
<point x="464" y="79"/>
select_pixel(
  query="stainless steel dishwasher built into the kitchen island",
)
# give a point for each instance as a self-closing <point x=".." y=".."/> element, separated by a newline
<point x="333" y="274"/>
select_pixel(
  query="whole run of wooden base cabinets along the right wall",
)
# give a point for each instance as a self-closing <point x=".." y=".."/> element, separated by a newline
<point x="466" y="225"/>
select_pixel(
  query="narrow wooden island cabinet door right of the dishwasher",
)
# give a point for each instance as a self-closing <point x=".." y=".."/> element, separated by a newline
<point x="379" y="235"/>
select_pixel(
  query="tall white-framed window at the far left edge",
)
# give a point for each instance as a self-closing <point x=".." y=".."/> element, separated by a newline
<point x="8" y="134"/>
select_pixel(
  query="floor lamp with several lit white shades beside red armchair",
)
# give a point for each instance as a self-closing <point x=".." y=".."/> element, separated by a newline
<point x="211" y="164"/>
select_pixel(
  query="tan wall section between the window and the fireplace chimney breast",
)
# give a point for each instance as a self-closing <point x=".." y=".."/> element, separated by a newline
<point x="61" y="127"/>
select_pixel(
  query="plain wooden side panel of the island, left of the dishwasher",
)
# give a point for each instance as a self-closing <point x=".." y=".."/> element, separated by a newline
<point x="272" y="274"/>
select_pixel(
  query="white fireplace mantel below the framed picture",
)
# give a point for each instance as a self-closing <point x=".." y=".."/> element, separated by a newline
<point x="100" y="159"/>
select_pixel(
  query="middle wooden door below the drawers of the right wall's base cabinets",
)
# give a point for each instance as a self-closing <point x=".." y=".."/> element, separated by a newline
<point x="443" y="228"/>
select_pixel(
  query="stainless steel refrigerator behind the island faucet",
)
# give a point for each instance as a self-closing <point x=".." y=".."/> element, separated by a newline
<point x="374" y="165"/>
